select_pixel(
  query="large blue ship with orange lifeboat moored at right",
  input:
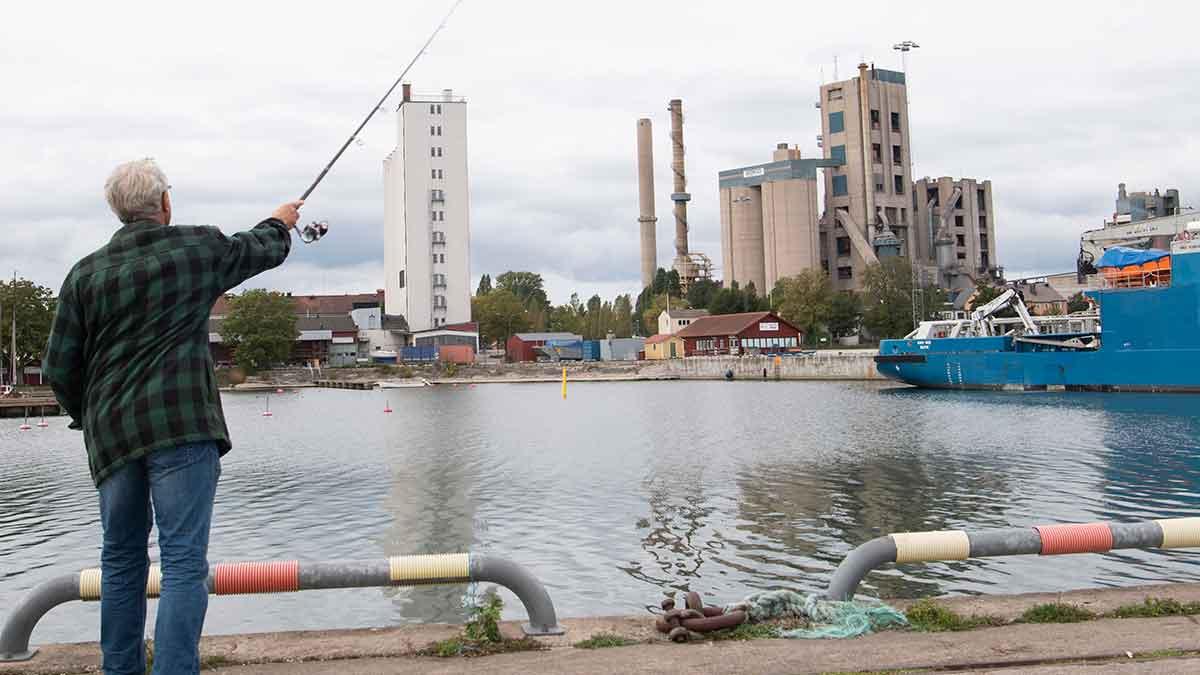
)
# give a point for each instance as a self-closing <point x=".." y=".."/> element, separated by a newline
<point x="1148" y="338"/>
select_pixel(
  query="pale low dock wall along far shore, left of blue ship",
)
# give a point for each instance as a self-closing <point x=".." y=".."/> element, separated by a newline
<point x="829" y="365"/>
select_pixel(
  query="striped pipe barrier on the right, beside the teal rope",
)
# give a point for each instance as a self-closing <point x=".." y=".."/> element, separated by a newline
<point x="1043" y="540"/>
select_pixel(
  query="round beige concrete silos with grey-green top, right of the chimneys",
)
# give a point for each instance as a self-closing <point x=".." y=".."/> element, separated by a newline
<point x="770" y="224"/>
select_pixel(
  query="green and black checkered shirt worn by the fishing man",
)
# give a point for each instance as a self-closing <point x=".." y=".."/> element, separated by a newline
<point x="129" y="353"/>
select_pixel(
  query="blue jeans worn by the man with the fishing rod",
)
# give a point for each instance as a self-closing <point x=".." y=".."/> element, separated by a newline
<point x="175" y="488"/>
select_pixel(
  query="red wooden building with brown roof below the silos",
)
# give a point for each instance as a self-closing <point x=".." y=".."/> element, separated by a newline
<point x="736" y="334"/>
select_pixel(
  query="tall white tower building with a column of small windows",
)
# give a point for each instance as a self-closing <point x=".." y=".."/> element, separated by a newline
<point x="428" y="213"/>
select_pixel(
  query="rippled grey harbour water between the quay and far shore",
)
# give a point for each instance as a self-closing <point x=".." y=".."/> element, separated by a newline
<point x="627" y="491"/>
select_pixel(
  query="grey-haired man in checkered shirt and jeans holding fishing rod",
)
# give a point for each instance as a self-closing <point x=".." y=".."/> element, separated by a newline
<point x="129" y="361"/>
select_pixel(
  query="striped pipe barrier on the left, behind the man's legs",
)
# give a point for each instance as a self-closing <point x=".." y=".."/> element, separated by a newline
<point x="279" y="577"/>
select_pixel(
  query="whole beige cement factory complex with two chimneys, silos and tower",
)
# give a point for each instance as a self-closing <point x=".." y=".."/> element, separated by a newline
<point x="771" y="223"/>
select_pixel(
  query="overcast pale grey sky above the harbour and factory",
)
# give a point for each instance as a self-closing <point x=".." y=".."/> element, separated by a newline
<point x="244" y="103"/>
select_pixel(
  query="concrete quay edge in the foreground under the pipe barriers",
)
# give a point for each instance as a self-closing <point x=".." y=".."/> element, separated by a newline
<point x="1168" y="644"/>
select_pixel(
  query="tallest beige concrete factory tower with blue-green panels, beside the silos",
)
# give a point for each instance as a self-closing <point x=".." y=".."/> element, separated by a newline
<point x="865" y="129"/>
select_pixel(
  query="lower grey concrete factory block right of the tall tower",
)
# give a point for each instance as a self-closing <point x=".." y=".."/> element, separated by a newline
<point x="958" y="213"/>
